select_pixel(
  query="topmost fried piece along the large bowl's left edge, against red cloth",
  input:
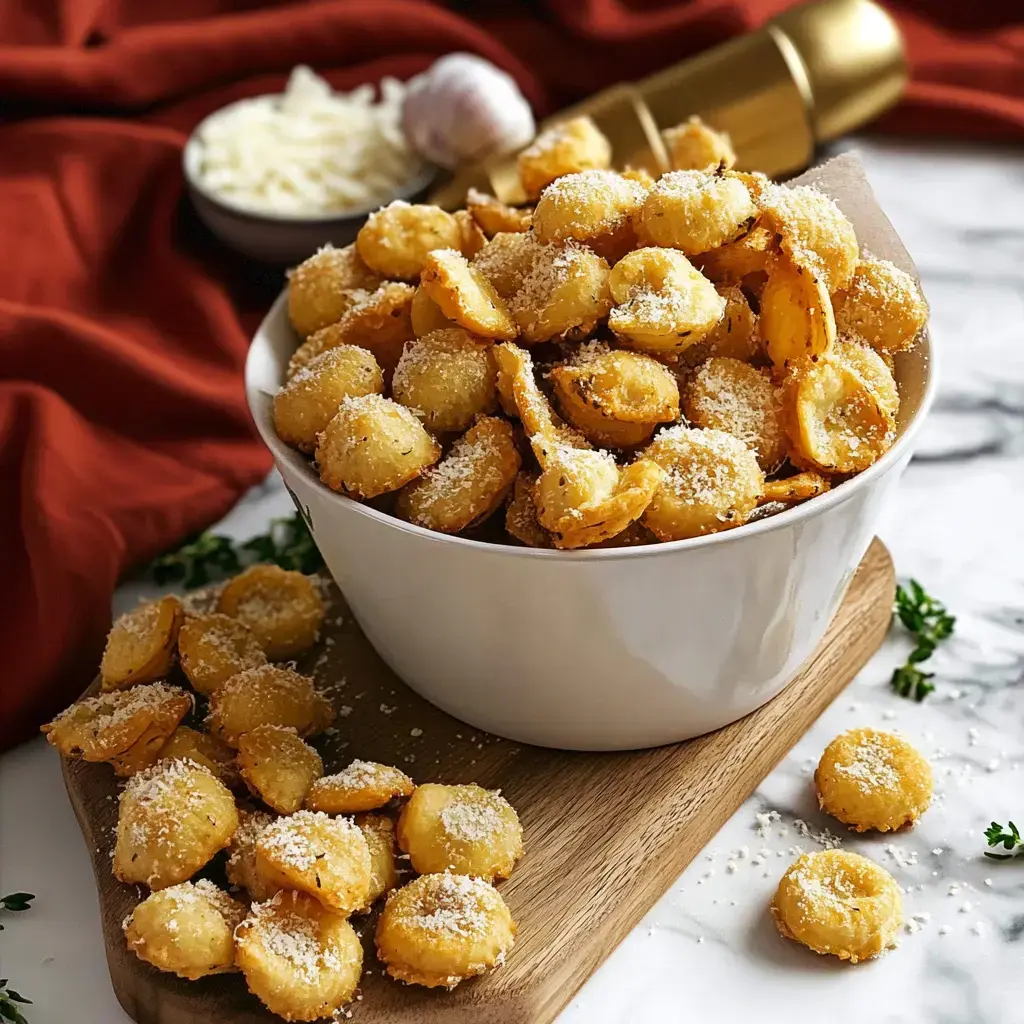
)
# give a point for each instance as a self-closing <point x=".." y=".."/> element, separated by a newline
<point x="323" y="288"/>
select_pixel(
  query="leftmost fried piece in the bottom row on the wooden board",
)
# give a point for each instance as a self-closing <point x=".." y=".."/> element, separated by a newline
<point x="188" y="930"/>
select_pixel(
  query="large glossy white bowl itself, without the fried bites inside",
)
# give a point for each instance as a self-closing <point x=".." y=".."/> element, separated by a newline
<point x="607" y="650"/>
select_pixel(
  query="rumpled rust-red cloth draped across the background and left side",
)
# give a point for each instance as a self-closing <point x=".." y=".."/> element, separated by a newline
<point x="123" y="326"/>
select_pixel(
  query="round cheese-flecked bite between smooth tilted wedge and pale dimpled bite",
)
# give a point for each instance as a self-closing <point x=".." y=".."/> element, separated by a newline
<point x="564" y="295"/>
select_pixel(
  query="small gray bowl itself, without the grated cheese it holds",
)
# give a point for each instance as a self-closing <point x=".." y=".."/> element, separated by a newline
<point x="276" y="238"/>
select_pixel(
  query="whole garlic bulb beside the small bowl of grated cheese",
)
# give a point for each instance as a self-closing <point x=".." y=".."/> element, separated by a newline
<point x="464" y="109"/>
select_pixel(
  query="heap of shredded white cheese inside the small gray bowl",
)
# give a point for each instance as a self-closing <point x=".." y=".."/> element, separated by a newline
<point x="310" y="151"/>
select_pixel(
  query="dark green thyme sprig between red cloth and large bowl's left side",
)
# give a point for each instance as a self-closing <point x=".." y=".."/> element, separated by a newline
<point x="210" y="558"/>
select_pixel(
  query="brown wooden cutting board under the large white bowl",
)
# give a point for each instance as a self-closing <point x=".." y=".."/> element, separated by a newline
<point x="606" y="834"/>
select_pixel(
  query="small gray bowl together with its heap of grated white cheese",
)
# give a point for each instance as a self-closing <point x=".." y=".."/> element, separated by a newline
<point x="277" y="177"/>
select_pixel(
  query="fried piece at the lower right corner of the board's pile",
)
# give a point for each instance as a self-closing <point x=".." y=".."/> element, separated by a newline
<point x="442" y="929"/>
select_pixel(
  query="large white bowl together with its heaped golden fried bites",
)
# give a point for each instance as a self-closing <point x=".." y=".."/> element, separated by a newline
<point x="594" y="473"/>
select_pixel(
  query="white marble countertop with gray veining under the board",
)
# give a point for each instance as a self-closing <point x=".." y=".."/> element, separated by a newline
<point x="708" y="951"/>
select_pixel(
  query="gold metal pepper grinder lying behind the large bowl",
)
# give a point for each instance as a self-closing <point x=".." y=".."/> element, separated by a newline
<point x="815" y="73"/>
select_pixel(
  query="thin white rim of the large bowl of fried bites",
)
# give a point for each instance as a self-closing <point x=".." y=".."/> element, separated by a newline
<point x="806" y="510"/>
